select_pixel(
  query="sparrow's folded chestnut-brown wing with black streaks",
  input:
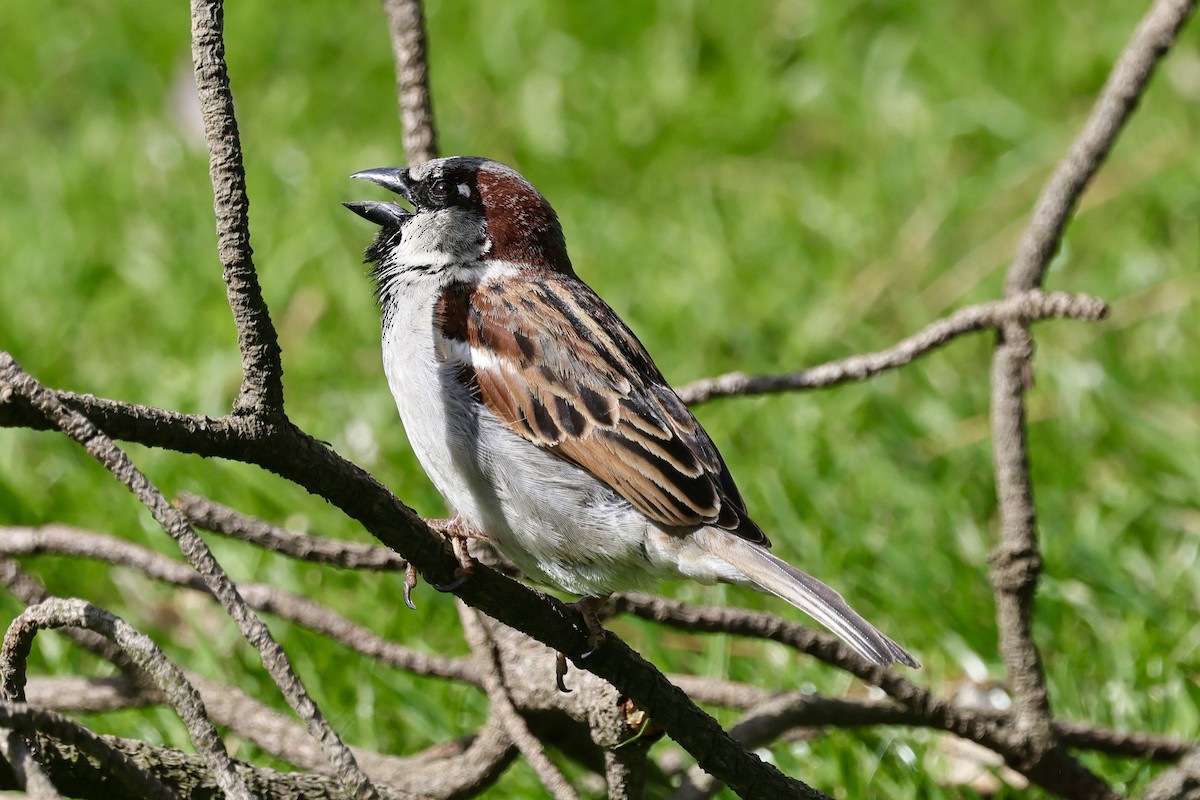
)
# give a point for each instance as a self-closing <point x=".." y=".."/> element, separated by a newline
<point x="554" y="362"/>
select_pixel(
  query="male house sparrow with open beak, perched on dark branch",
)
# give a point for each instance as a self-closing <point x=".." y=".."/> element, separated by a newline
<point x="538" y="414"/>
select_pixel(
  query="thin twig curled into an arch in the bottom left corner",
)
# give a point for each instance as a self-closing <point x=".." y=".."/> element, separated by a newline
<point x="171" y="681"/>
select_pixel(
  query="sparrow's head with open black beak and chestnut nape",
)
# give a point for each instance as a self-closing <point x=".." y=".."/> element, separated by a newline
<point x="466" y="212"/>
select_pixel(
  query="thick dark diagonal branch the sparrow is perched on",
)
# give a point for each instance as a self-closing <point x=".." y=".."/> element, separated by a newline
<point x="290" y="453"/>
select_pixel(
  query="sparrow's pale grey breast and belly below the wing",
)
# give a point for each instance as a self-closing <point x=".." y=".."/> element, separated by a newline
<point x="556" y="522"/>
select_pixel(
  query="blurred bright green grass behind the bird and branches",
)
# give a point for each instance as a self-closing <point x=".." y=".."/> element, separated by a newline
<point x="753" y="187"/>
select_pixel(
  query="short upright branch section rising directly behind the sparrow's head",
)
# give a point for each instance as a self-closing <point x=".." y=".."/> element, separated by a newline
<point x="406" y="20"/>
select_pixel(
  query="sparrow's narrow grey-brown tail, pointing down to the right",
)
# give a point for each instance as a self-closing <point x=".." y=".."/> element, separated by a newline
<point x="781" y="579"/>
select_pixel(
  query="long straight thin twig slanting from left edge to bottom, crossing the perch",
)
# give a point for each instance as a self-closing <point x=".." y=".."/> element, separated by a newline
<point x="277" y="663"/>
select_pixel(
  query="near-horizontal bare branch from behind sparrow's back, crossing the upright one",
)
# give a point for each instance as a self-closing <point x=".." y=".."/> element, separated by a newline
<point x="1028" y="308"/>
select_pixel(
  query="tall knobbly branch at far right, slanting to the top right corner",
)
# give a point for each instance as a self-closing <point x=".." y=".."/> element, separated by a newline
<point x="1017" y="562"/>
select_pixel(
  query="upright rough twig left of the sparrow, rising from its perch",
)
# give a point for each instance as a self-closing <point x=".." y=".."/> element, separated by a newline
<point x="262" y="386"/>
